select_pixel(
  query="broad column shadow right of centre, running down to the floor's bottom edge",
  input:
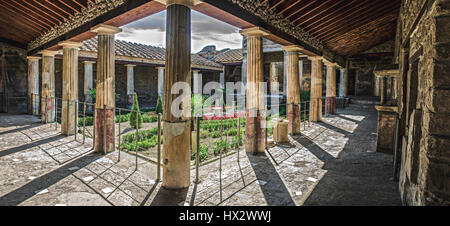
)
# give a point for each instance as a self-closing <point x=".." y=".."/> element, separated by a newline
<point x="274" y="190"/>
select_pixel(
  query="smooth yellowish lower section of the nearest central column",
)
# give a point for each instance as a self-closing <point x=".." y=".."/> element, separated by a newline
<point x="176" y="155"/>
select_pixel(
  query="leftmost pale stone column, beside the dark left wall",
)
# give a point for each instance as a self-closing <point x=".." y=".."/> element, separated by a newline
<point x="33" y="85"/>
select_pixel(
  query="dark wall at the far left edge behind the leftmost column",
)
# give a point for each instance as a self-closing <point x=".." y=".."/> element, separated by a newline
<point x="13" y="79"/>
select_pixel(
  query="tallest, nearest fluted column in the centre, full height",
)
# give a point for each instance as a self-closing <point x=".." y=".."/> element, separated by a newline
<point x="177" y="128"/>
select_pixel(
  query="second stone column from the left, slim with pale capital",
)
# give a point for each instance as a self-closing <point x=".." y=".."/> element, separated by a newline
<point x="48" y="86"/>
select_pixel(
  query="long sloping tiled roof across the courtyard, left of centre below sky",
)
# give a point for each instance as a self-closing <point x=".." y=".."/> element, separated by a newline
<point x="131" y="49"/>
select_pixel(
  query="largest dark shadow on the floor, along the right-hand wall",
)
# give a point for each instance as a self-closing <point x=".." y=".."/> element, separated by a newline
<point x="356" y="177"/>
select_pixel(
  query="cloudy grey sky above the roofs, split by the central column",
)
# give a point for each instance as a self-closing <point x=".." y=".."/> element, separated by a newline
<point x="205" y="31"/>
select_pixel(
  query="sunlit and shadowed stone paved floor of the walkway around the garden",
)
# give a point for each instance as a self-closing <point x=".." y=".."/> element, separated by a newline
<point x="332" y="163"/>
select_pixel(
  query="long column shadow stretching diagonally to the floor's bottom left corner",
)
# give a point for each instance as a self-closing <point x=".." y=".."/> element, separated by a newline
<point x="27" y="191"/>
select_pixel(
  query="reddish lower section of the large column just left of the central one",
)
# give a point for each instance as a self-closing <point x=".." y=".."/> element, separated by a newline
<point x="102" y="144"/>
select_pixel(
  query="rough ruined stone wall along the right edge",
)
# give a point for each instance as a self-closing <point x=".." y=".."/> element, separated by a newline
<point x="425" y="172"/>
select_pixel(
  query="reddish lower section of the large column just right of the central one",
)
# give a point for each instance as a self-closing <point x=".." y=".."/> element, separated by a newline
<point x="254" y="132"/>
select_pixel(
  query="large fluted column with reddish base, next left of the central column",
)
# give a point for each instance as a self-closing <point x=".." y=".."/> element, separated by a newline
<point x="105" y="100"/>
